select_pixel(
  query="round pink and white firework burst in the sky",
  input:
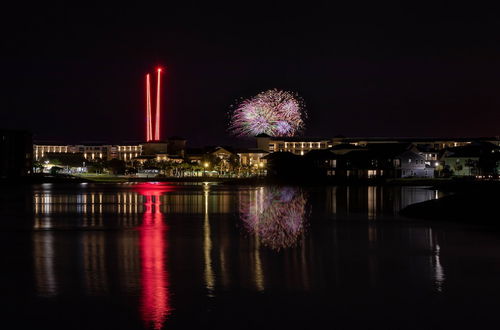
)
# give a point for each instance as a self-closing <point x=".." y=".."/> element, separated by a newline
<point x="273" y="112"/>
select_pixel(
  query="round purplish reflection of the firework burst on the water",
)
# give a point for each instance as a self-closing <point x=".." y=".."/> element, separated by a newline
<point x="276" y="216"/>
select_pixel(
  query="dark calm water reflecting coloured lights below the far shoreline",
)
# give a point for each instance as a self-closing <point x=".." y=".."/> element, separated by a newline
<point x="174" y="256"/>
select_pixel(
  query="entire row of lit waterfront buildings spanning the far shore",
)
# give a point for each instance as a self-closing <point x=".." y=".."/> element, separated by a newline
<point x="338" y="157"/>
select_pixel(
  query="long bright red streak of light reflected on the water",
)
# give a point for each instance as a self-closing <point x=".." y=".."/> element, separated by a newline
<point x="155" y="301"/>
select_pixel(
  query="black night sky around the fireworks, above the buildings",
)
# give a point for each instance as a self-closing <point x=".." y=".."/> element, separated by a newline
<point x="76" y="73"/>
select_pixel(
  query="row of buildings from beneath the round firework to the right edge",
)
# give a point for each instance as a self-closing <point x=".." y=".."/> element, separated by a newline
<point x="371" y="158"/>
